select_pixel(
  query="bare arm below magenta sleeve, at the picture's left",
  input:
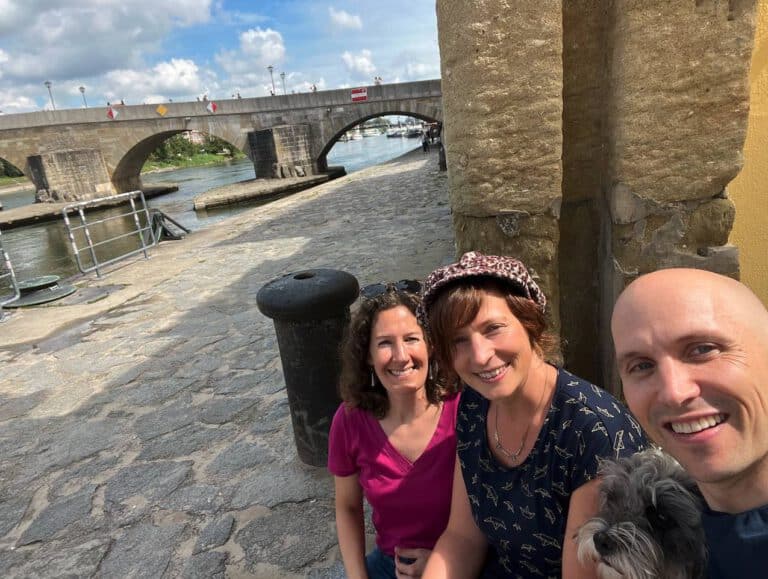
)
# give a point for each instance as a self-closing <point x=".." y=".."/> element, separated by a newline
<point x="350" y="525"/>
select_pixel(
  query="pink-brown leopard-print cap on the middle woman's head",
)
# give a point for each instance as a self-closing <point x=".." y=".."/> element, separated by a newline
<point x="475" y="264"/>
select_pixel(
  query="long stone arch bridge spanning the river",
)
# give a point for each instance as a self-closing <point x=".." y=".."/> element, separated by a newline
<point x="84" y="153"/>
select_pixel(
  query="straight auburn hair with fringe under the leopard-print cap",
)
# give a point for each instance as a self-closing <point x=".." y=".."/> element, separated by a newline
<point x="458" y="303"/>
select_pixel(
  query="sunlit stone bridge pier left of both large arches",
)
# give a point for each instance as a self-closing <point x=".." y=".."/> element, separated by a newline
<point x="71" y="175"/>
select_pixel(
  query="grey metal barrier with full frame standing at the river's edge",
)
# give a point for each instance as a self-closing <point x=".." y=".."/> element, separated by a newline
<point x="140" y="227"/>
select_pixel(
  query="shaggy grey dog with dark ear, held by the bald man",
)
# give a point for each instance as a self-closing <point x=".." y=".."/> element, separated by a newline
<point x="649" y="523"/>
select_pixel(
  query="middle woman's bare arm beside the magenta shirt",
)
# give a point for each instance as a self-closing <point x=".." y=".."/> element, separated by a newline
<point x="460" y="552"/>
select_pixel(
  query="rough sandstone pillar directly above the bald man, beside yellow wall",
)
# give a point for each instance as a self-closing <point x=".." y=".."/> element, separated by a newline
<point x="676" y="120"/>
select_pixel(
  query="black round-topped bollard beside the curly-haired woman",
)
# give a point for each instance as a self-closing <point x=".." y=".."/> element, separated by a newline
<point x="310" y="310"/>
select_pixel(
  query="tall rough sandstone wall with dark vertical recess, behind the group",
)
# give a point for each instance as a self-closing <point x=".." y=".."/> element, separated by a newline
<point x="594" y="140"/>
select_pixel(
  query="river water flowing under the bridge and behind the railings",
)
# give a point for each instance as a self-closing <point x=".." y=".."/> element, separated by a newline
<point x="45" y="249"/>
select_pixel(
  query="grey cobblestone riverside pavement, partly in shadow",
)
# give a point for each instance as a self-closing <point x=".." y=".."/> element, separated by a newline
<point x="147" y="434"/>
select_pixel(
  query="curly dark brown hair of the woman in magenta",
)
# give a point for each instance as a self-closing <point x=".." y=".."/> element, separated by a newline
<point x="355" y="380"/>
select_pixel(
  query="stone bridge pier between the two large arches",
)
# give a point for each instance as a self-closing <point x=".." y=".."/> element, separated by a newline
<point x="282" y="151"/>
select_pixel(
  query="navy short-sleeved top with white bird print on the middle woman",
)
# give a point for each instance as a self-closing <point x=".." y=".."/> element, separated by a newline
<point x="522" y="511"/>
